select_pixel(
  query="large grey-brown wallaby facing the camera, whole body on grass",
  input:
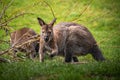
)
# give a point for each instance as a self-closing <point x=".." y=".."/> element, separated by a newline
<point x="67" y="39"/>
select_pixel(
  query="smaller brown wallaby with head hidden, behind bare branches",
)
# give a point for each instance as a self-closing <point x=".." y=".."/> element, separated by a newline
<point x="20" y="36"/>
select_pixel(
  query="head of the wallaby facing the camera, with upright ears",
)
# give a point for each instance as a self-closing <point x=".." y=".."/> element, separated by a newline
<point x="46" y="29"/>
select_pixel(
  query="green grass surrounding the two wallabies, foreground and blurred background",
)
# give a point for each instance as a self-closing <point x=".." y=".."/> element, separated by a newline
<point x="101" y="18"/>
